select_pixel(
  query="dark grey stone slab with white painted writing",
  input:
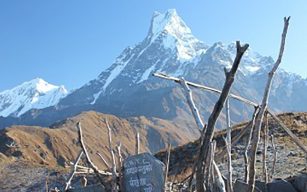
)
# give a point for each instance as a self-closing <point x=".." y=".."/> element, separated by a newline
<point x="143" y="173"/>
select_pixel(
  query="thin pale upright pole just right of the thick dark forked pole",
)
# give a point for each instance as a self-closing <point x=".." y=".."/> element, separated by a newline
<point x="228" y="147"/>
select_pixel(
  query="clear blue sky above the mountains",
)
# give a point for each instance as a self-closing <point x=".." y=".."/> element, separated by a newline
<point x="70" y="42"/>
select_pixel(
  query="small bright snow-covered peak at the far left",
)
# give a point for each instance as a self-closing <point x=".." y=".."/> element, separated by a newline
<point x="34" y="94"/>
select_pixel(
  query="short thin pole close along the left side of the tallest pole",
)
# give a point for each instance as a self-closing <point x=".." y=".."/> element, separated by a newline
<point x="246" y="162"/>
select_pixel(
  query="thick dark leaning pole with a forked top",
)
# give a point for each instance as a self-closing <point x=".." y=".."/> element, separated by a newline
<point x="214" y="116"/>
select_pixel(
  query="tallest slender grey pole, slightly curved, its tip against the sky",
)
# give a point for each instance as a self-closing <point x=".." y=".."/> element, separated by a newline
<point x="259" y="118"/>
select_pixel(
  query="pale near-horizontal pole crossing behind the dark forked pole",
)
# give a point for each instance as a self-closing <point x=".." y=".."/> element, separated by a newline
<point x="177" y="80"/>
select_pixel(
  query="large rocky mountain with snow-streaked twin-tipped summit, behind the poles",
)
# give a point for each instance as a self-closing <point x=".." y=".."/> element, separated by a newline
<point x="127" y="87"/>
